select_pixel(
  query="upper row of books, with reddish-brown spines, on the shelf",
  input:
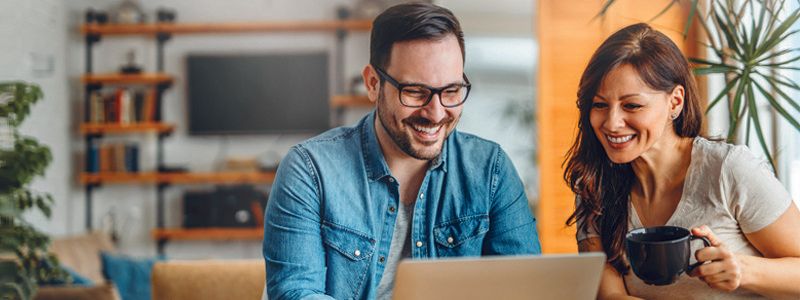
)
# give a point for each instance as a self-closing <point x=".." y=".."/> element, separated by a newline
<point x="123" y="106"/>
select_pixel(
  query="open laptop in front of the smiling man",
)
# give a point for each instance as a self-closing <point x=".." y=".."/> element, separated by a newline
<point x="568" y="276"/>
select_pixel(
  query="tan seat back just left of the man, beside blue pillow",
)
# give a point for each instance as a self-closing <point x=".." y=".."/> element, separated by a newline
<point x="209" y="279"/>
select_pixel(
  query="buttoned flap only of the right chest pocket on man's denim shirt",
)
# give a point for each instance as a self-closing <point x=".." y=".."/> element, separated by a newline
<point x="454" y="233"/>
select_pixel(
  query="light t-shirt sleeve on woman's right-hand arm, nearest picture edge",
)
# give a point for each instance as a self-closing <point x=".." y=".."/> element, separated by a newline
<point x="755" y="197"/>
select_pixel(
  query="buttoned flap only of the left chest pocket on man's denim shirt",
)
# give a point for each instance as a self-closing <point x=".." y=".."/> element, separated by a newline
<point x="350" y="243"/>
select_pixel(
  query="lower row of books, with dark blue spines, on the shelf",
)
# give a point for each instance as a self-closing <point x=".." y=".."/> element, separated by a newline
<point x="116" y="157"/>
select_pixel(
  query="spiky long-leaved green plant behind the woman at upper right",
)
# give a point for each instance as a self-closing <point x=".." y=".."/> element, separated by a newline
<point x="747" y="39"/>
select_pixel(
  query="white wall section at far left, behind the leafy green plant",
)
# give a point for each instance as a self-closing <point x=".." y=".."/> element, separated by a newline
<point x="34" y="45"/>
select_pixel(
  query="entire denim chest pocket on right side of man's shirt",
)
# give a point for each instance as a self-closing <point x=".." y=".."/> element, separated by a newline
<point x="462" y="236"/>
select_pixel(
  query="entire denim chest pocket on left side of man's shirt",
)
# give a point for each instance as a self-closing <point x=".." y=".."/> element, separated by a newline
<point x="349" y="253"/>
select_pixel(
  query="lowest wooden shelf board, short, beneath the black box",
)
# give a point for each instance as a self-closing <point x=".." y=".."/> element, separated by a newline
<point x="209" y="234"/>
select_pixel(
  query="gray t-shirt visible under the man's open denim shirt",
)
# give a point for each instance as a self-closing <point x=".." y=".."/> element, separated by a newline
<point x="399" y="249"/>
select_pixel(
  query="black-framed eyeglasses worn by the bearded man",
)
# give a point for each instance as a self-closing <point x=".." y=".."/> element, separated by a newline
<point x="419" y="95"/>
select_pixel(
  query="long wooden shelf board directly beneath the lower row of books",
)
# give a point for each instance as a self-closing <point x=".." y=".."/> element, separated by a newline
<point x="177" y="178"/>
